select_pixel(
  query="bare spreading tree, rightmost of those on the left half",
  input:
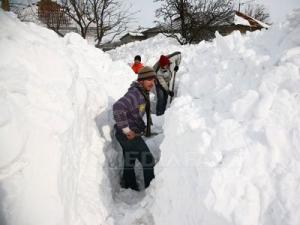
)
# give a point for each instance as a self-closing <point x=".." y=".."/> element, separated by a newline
<point x="110" y="17"/>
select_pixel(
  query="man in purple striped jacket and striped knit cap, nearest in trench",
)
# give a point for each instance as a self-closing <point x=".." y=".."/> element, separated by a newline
<point x="128" y="113"/>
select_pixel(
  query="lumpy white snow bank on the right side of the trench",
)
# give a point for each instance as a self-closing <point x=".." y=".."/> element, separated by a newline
<point x="231" y="148"/>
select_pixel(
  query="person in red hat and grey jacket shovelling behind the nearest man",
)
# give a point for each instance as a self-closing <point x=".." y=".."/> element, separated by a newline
<point x="165" y="68"/>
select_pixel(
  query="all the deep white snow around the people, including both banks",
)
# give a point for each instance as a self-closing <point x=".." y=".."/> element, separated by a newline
<point x="228" y="155"/>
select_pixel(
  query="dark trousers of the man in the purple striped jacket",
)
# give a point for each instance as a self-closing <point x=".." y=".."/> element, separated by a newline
<point x="132" y="150"/>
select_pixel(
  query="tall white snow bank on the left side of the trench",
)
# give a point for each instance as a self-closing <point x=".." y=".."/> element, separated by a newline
<point x="52" y="156"/>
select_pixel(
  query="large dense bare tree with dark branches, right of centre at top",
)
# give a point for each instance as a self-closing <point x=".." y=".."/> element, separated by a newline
<point x="193" y="20"/>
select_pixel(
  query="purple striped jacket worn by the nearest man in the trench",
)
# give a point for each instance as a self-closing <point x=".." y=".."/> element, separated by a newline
<point x="129" y="110"/>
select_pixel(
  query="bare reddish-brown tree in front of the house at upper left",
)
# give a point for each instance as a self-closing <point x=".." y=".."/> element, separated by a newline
<point x="53" y="15"/>
